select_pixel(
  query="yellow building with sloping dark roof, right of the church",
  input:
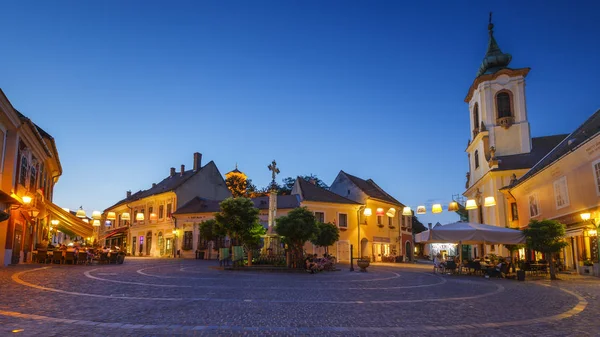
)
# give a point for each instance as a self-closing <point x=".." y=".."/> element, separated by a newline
<point x="563" y="186"/>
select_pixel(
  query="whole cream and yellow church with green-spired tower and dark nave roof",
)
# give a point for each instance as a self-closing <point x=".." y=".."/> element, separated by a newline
<point x="500" y="149"/>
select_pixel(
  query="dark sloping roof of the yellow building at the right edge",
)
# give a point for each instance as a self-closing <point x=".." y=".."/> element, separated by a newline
<point x="581" y="135"/>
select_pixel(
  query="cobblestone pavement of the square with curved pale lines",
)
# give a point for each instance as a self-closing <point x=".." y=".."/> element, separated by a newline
<point x="158" y="297"/>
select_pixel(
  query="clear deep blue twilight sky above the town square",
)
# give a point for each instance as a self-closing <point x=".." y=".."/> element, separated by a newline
<point x="131" y="88"/>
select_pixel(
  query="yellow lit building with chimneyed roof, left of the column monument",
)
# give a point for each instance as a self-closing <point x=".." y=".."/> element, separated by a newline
<point x="143" y="223"/>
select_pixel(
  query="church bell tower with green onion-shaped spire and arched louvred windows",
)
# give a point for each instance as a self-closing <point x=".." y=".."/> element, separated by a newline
<point x="498" y="111"/>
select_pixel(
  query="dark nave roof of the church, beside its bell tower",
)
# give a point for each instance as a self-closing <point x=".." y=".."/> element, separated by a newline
<point x="540" y="147"/>
